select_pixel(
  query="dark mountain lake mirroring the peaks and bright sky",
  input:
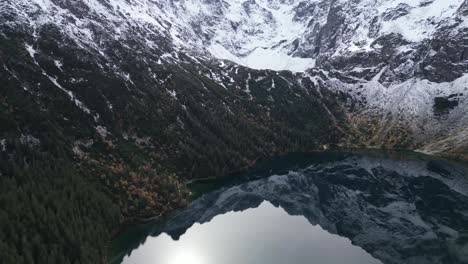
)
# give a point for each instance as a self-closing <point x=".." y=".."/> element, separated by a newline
<point x="325" y="208"/>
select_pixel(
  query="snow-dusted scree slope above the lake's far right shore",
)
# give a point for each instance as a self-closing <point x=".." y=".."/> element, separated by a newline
<point x="411" y="104"/>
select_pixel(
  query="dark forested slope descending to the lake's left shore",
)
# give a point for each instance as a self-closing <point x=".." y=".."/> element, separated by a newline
<point x="65" y="188"/>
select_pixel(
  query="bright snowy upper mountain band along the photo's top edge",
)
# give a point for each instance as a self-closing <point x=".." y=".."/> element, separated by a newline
<point x="260" y="34"/>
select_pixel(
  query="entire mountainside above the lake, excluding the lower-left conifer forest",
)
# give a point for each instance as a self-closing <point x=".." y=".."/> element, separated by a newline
<point x="135" y="91"/>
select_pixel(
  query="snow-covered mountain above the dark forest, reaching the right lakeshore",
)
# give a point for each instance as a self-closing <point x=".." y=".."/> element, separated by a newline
<point x="396" y="71"/>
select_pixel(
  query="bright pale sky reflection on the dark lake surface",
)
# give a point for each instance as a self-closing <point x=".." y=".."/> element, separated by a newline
<point x="262" y="235"/>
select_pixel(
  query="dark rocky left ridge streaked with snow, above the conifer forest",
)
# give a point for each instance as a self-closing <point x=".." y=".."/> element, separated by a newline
<point x="121" y="77"/>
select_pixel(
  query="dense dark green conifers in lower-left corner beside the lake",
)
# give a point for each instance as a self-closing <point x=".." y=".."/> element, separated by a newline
<point x="49" y="213"/>
